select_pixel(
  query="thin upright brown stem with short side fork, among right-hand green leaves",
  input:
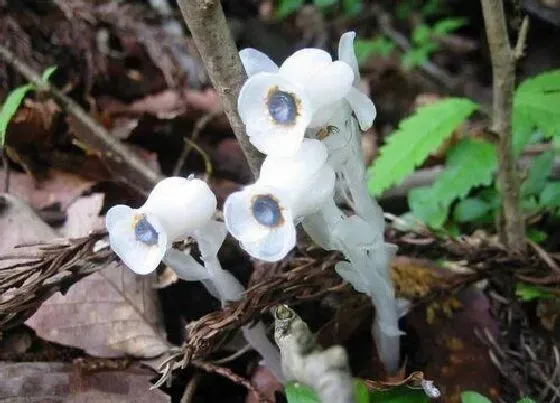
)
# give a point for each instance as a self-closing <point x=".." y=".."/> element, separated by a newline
<point x="504" y="59"/>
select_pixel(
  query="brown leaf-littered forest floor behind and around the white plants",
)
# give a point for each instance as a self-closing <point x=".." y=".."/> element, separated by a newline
<point x="467" y="329"/>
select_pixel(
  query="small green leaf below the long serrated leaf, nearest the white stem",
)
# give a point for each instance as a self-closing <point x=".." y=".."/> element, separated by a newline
<point x="426" y="208"/>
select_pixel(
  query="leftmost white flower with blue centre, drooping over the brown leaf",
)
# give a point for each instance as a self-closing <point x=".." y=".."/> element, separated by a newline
<point x="175" y="209"/>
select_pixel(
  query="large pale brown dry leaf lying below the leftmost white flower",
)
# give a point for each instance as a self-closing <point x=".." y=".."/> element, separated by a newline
<point x="111" y="313"/>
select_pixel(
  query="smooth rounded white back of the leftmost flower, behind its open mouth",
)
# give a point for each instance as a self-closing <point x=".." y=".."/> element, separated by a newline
<point x="181" y="205"/>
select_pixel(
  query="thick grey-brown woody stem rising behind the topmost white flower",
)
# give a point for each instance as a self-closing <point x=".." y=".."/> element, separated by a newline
<point x="210" y="32"/>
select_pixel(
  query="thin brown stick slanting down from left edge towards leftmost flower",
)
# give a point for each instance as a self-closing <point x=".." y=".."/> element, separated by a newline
<point x="93" y="134"/>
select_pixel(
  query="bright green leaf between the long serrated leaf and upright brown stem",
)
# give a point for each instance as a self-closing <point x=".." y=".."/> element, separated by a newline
<point x="470" y="163"/>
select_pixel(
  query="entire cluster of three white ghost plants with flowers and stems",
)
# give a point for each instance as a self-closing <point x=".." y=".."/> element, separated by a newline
<point x="306" y="116"/>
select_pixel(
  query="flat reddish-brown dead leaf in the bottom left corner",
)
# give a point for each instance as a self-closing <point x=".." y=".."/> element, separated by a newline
<point x="50" y="381"/>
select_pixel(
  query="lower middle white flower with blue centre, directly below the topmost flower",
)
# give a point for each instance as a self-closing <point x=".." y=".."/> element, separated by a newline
<point x="263" y="216"/>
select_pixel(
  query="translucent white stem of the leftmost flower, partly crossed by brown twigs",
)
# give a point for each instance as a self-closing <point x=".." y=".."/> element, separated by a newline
<point x="225" y="287"/>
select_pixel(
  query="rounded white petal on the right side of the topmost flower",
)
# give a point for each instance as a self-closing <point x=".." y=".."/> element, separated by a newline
<point x="329" y="84"/>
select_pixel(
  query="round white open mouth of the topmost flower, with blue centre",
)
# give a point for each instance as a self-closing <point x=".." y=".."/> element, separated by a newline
<point x="272" y="120"/>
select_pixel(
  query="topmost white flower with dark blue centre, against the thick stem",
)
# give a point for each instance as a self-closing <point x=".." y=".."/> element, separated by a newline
<point x="278" y="104"/>
